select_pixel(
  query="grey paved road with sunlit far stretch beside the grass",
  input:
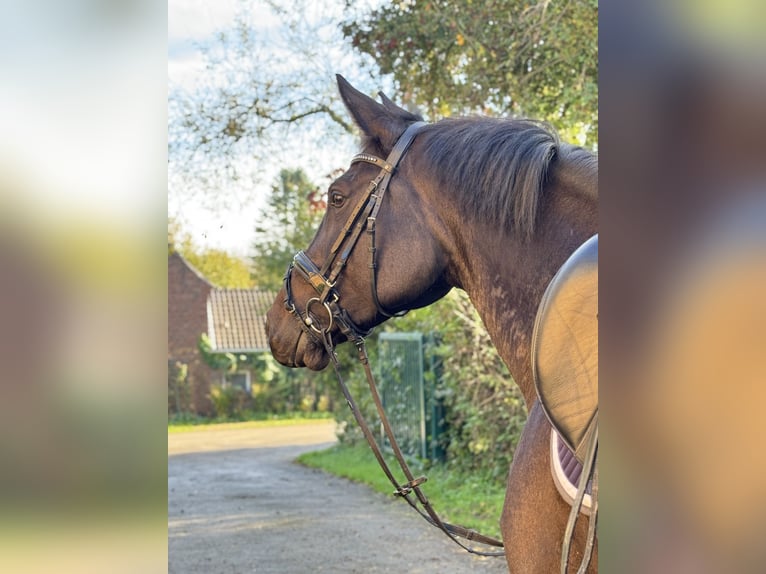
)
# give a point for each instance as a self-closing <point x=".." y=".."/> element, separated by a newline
<point x="238" y="504"/>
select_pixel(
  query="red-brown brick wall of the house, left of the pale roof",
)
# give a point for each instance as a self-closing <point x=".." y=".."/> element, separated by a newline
<point x="187" y="320"/>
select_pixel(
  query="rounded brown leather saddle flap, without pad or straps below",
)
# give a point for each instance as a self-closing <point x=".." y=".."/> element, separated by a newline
<point x="565" y="347"/>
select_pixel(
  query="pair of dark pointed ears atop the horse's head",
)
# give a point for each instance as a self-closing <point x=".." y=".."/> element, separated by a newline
<point x="384" y="122"/>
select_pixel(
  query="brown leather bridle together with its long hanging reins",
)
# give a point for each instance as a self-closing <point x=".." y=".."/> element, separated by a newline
<point x="323" y="280"/>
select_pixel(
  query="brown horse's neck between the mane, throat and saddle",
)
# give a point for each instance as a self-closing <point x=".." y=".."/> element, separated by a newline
<point x="506" y="277"/>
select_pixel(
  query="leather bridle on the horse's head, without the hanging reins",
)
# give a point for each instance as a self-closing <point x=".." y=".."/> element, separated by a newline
<point x="323" y="279"/>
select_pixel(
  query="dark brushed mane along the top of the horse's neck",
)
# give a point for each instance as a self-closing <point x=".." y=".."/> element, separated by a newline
<point x="496" y="167"/>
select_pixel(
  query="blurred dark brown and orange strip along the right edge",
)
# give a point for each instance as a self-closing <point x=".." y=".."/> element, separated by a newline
<point x="683" y="277"/>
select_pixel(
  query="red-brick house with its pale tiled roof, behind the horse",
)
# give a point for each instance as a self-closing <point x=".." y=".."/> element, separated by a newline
<point x="232" y="318"/>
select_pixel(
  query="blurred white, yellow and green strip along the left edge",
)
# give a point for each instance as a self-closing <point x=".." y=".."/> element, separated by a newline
<point x="83" y="144"/>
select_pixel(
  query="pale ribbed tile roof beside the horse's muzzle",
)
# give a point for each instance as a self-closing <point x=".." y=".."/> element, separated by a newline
<point x="236" y="319"/>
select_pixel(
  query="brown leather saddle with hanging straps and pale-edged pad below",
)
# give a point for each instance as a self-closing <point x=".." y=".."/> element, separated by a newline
<point x="565" y="369"/>
